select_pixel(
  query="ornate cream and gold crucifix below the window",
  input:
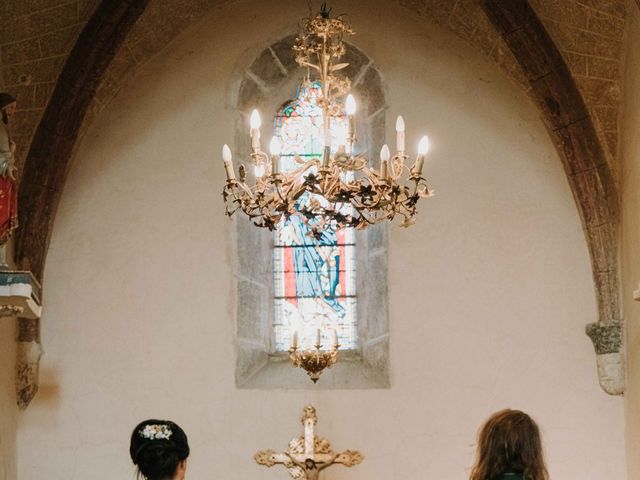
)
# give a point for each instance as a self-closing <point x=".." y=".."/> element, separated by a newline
<point x="308" y="455"/>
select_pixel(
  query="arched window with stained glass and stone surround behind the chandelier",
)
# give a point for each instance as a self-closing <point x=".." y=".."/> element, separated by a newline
<point x="266" y="270"/>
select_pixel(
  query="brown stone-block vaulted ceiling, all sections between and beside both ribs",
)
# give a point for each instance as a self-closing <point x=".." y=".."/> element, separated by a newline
<point x="36" y="37"/>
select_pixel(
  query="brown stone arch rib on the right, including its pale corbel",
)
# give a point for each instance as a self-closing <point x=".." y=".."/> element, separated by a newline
<point x="571" y="128"/>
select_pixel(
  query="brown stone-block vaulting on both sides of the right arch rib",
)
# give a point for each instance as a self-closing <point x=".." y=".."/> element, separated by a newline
<point x="588" y="33"/>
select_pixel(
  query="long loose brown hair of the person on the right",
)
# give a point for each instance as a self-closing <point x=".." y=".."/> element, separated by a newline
<point x="509" y="442"/>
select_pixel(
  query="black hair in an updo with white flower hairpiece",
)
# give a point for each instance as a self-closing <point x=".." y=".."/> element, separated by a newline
<point x="157" y="448"/>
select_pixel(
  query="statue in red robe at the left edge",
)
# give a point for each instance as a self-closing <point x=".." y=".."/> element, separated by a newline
<point x="8" y="191"/>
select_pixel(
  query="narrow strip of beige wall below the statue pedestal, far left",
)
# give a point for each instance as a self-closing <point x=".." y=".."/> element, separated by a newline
<point x="8" y="409"/>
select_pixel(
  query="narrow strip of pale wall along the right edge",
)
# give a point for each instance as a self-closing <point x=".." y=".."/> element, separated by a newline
<point x="631" y="236"/>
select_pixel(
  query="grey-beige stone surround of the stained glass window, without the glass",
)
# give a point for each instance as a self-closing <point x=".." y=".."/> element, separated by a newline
<point x="264" y="85"/>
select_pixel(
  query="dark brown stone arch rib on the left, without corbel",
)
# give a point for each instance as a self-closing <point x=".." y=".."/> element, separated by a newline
<point x="48" y="159"/>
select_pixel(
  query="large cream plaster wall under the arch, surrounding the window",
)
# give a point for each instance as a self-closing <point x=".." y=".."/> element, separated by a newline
<point x="489" y="292"/>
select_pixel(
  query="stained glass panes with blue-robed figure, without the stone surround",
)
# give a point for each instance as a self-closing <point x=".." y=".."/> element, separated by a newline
<point x="315" y="279"/>
